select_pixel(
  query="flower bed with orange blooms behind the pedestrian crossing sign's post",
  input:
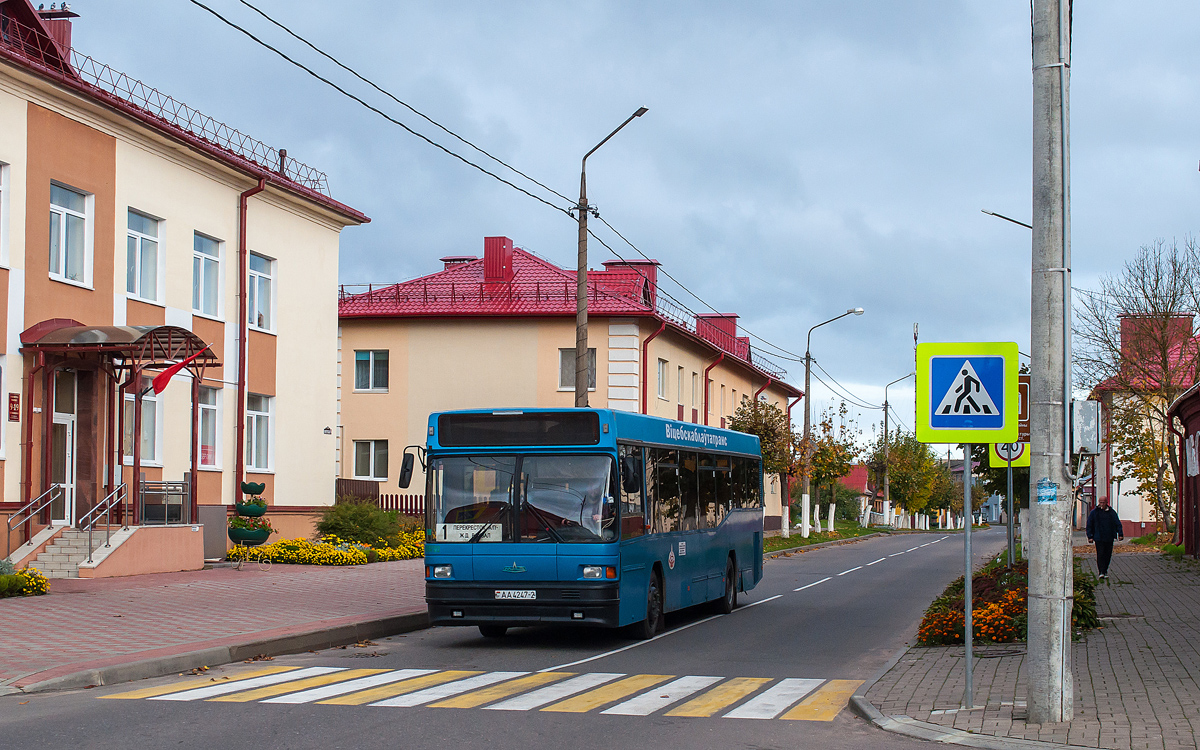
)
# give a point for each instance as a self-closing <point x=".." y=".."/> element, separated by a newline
<point x="1000" y="609"/>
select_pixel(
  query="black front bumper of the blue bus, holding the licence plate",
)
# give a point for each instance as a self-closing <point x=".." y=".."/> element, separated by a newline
<point x="490" y="603"/>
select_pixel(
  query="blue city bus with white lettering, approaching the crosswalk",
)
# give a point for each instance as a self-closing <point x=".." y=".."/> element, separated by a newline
<point x="586" y="517"/>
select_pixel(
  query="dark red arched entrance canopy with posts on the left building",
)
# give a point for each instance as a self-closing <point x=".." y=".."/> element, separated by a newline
<point x="106" y="367"/>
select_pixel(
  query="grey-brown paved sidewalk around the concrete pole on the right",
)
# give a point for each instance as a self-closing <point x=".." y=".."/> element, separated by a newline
<point x="1136" y="679"/>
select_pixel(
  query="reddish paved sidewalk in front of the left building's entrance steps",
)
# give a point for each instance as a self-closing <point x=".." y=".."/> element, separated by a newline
<point x="105" y="623"/>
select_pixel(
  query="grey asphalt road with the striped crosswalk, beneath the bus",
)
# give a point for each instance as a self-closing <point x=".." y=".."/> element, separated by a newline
<point x="857" y="605"/>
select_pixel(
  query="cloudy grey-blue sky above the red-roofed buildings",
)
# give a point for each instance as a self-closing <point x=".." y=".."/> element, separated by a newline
<point x="799" y="158"/>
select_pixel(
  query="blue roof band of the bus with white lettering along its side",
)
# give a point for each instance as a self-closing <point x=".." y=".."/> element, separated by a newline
<point x="614" y="425"/>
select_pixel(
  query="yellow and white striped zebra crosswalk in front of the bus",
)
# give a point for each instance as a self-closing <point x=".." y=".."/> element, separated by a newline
<point x="604" y="693"/>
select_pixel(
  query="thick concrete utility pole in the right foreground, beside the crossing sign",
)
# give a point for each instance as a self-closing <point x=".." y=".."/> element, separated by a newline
<point x="1048" y="547"/>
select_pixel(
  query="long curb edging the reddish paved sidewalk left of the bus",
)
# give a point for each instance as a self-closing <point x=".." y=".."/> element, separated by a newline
<point x="299" y="643"/>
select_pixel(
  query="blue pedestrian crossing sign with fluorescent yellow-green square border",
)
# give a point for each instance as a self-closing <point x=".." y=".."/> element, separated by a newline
<point x="967" y="393"/>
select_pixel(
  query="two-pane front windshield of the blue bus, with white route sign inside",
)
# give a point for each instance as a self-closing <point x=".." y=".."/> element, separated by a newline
<point x="536" y="499"/>
